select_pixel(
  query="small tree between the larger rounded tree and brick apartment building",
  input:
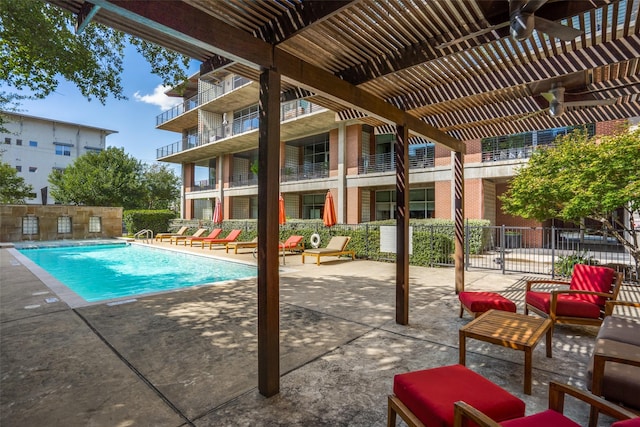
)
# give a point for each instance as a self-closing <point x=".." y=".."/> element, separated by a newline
<point x="162" y="186"/>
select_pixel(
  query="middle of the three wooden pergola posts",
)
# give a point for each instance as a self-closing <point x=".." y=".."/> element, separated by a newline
<point x="402" y="225"/>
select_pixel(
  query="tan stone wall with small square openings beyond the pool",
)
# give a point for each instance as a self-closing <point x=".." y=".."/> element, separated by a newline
<point x="55" y="222"/>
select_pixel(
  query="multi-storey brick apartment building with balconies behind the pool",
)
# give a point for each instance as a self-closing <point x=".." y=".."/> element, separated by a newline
<point x="319" y="151"/>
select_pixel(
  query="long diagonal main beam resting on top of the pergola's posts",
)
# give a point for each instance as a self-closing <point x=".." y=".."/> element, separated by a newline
<point x="179" y="20"/>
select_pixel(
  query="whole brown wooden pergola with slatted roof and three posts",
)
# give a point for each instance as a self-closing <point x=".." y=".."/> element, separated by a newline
<point x="436" y="71"/>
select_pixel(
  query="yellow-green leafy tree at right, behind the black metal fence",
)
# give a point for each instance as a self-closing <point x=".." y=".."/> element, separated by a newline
<point x="583" y="177"/>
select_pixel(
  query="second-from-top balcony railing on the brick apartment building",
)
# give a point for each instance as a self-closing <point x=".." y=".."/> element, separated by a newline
<point x="293" y="109"/>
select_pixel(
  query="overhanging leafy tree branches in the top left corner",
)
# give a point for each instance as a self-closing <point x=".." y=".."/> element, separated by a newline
<point x="38" y="45"/>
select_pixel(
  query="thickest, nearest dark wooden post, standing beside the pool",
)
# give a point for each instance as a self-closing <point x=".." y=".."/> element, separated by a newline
<point x="268" y="232"/>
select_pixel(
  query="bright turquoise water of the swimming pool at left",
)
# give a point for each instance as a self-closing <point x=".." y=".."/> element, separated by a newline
<point x="98" y="273"/>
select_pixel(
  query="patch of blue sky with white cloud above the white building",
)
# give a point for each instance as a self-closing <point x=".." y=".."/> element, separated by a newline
<point x="133" y="119"/>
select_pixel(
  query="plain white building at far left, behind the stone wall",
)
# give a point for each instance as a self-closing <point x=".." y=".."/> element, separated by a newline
<point x="36" y="145"/>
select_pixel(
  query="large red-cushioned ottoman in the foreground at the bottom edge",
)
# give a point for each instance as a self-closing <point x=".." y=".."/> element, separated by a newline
<point x="426" y="397"/>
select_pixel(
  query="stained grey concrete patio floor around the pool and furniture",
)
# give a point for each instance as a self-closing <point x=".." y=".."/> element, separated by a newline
<point x="189" y="358"/>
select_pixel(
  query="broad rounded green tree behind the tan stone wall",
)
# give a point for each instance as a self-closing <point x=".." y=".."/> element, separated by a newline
<point x="107" y="178"/>
